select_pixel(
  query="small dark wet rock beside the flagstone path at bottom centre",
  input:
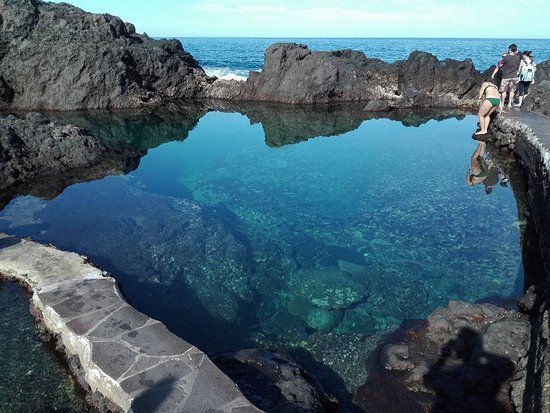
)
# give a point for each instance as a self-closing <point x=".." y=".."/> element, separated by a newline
<point x="275" y="382"/>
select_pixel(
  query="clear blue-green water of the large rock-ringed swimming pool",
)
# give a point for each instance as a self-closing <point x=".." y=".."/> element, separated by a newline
<point x="237" y="231"/>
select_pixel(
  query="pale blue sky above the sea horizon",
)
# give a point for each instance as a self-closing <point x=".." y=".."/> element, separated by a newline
<point x="340" y="18"/>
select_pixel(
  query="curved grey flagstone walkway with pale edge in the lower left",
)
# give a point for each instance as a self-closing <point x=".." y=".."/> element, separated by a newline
<point x="132" y="360"/>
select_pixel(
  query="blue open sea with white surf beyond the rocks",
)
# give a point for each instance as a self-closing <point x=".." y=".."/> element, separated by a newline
<point x="233" y="58"/>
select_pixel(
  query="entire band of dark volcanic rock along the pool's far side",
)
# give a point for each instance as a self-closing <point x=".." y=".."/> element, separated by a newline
<point x="80" y="60"/>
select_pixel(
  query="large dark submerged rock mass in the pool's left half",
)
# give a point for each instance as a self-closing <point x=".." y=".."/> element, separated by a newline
<point x="178" y="246"/>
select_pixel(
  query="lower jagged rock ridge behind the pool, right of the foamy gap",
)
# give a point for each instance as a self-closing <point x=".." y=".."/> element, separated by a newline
<point x="294" y="74"/>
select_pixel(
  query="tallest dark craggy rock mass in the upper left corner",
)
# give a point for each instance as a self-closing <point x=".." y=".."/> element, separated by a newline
<point x="58" y="57"/>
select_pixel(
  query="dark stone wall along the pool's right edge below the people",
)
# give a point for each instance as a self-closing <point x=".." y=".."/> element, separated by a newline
<point x="531" y="151"/>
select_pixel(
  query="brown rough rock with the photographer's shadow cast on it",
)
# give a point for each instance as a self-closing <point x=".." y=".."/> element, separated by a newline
<point x="468" y="355"/>
